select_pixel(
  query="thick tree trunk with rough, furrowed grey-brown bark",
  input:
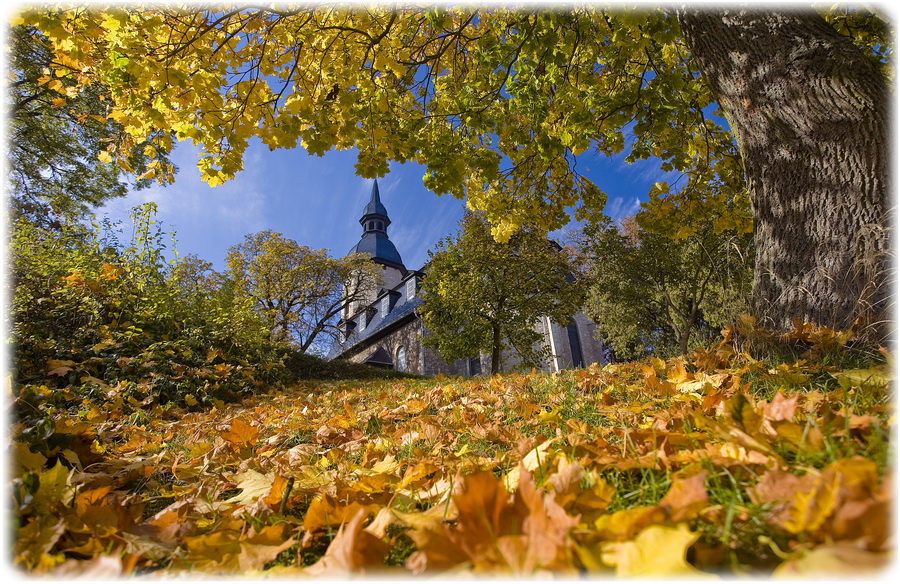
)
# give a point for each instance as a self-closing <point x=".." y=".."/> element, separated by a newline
<point x="810" y="114"/>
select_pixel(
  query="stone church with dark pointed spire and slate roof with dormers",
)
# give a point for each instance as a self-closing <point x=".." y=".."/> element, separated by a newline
<point x="384" y="329"/>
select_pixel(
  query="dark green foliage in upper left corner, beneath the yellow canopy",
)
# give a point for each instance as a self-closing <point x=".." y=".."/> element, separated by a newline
<point x="55" y="133"/>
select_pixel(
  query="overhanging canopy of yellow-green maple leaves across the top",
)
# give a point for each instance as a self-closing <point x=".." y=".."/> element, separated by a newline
<point x="497" y="103"/>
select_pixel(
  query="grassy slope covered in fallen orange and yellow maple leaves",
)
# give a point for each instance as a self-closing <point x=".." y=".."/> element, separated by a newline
<point x="716" y="464"/>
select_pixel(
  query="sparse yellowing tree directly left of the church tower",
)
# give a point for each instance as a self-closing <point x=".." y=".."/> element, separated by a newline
<point x="298" y="290"/>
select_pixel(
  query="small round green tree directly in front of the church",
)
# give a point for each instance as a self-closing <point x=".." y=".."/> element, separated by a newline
<point x="483" y="295"/>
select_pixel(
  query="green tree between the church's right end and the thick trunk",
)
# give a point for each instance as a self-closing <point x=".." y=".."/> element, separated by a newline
<point x="651" y="293"/>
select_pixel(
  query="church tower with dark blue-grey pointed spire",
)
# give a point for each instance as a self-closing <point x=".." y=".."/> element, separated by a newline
<point x="378" y="246"/>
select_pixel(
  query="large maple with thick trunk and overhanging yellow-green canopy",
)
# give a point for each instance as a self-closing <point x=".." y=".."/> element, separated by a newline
<point x="499" y="103"/>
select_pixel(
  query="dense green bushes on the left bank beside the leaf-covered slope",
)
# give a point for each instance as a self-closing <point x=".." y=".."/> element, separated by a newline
<point x="92" y="317"/>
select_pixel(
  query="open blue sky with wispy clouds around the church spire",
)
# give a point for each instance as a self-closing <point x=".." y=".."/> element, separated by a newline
<point x="317" y="201"/>
